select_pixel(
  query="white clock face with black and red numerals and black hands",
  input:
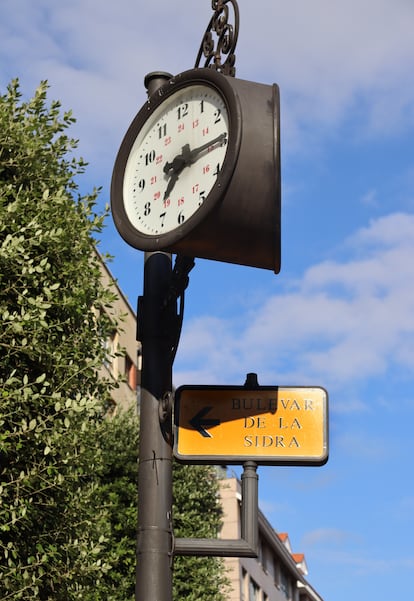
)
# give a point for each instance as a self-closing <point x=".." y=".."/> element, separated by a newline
<point x="175" y="160"/>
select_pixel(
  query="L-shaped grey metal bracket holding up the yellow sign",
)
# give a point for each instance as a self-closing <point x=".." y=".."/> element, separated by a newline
<point x="247" y="545"/>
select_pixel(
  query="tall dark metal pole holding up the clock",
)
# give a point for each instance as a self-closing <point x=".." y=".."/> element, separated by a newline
<point x="155" y="319"/>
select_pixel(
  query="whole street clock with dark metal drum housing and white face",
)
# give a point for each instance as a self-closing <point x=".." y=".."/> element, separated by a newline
<point x="198" y="171"/>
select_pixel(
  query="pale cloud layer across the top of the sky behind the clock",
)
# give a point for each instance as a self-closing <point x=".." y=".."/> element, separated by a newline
<point x="328" y="58"/>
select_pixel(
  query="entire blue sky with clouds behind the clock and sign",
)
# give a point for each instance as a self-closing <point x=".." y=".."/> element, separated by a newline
<point x="341" y="312"/>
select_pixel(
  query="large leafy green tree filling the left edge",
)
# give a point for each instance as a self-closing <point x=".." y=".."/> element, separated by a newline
<point x="53" y="321"/>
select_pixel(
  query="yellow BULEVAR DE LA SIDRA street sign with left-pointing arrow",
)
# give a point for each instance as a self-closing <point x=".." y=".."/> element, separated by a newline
<point x="268" y="425"/>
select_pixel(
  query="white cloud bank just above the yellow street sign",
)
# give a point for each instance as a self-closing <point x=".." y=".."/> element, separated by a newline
<point x="344" y="320"/>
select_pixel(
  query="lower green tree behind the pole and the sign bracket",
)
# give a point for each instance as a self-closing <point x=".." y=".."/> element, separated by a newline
<point x="196" y="513"/>
